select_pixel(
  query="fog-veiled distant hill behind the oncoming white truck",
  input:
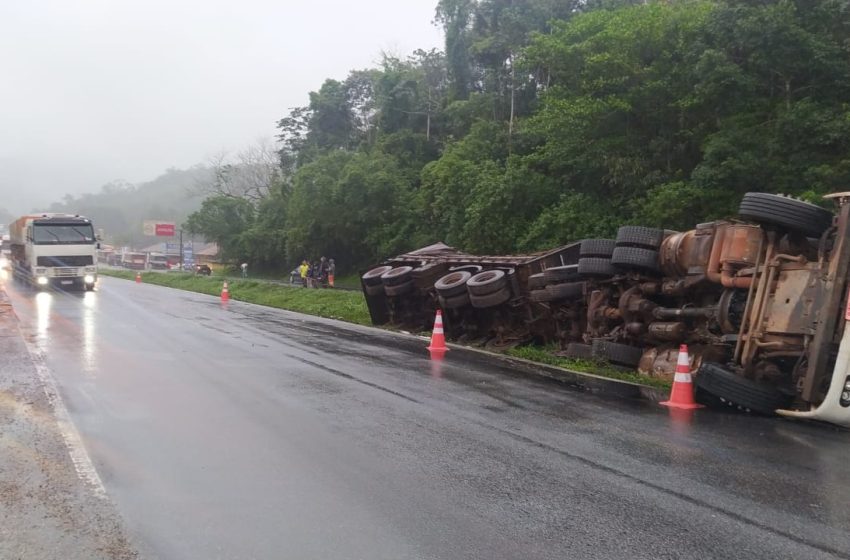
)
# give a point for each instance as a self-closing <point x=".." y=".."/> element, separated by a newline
<point x="120" y="208"/>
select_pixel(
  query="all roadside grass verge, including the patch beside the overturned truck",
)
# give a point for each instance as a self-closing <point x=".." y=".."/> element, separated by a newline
<point x="351" y="307"/>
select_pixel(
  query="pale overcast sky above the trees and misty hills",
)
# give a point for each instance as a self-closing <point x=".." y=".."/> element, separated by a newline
<point x="97" y="90"/>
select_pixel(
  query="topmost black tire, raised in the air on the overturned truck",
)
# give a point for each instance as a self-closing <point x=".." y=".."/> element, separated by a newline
<point x="785" y="212"/>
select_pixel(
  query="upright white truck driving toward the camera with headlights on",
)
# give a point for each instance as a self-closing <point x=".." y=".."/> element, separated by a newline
<point x="56" y="250"/>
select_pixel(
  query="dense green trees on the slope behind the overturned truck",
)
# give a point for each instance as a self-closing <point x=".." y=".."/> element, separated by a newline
<point x="547" y="120"/>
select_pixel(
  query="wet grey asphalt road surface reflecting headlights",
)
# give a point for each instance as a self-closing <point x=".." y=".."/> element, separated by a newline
<point x="247" y="432"/>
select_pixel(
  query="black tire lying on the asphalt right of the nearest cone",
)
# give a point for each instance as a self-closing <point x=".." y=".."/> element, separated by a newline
<point x="733" y="389"/>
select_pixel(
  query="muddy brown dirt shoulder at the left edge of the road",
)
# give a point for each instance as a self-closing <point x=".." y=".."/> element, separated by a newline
<point x="47" y="510"/>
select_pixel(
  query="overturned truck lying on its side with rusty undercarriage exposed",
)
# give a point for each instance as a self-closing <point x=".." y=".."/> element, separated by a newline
<point x="761" y="301"/>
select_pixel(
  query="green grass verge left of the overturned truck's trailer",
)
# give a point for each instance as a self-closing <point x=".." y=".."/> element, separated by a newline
<point x="333" y="304"/>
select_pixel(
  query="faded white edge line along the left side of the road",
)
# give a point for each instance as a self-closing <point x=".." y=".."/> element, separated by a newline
<point x="73" y="442"/>
